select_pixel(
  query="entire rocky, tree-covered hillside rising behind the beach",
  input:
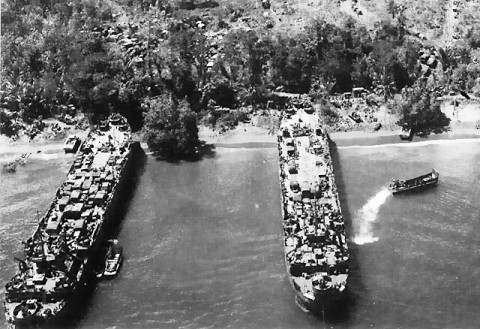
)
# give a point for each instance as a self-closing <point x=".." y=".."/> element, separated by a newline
<point x="96" y="57"/>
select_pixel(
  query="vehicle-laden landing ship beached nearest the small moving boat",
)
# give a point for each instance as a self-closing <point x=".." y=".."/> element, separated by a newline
<point x="316" y="251"/>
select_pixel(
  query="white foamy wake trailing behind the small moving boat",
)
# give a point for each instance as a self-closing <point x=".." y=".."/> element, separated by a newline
<point x="368" y="214"/>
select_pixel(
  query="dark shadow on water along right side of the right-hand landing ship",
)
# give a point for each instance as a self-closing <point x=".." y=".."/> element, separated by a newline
<point x="341" y="311"/>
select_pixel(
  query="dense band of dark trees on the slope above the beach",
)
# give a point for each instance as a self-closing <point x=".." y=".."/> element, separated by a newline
<point x="99" y="57"/>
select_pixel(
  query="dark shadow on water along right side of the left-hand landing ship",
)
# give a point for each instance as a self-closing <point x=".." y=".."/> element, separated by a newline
<point x="82" y="301"/>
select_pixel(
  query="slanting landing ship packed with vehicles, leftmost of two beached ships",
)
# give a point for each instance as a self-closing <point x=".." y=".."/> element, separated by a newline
<point x="59" y="257"/>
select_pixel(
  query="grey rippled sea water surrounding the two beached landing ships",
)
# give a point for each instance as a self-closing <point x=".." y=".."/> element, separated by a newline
<point x="203" y="240"/>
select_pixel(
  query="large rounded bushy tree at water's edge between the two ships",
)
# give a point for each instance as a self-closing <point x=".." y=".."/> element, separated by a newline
<point x="170" y="127"/>
